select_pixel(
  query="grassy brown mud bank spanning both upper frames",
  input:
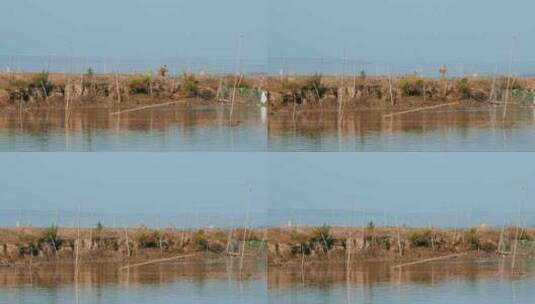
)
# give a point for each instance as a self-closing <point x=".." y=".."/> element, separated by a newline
<point x="282" y="93"/>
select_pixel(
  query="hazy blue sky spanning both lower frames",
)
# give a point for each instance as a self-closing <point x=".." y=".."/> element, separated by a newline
<point x="282" y="184"/>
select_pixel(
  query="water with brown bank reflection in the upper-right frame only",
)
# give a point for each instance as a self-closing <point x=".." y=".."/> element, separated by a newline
<point x="447" y="129"/>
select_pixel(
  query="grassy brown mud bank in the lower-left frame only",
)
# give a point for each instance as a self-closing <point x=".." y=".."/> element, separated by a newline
<point x="99" y="244"/>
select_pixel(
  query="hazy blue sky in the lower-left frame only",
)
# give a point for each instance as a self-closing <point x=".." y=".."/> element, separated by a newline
<point x="224" y="186"/>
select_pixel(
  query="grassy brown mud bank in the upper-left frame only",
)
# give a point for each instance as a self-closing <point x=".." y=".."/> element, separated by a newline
<point x="105" y="90"/>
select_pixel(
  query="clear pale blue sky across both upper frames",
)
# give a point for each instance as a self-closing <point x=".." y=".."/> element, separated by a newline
<point x="418" y="33"/>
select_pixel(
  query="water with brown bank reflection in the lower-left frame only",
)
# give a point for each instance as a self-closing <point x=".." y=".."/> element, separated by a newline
<point x="207" y="282"/>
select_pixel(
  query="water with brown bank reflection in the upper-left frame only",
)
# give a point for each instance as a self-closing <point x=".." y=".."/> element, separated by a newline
<point x="185" y="127"/>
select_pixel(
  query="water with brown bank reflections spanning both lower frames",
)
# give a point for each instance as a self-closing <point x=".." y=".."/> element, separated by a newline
<point x="455" y="281"/>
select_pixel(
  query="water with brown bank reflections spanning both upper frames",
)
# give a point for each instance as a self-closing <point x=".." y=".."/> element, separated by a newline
<point x="206" y="127"/>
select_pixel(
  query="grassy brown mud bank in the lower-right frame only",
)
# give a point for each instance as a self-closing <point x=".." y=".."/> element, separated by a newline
<point x="309" y="245"/>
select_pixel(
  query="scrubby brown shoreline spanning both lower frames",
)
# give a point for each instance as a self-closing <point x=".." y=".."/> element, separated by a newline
<point x="288" y="246"/>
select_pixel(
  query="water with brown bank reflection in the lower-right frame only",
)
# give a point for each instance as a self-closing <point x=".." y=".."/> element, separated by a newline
<point x="447" y="282"/>
